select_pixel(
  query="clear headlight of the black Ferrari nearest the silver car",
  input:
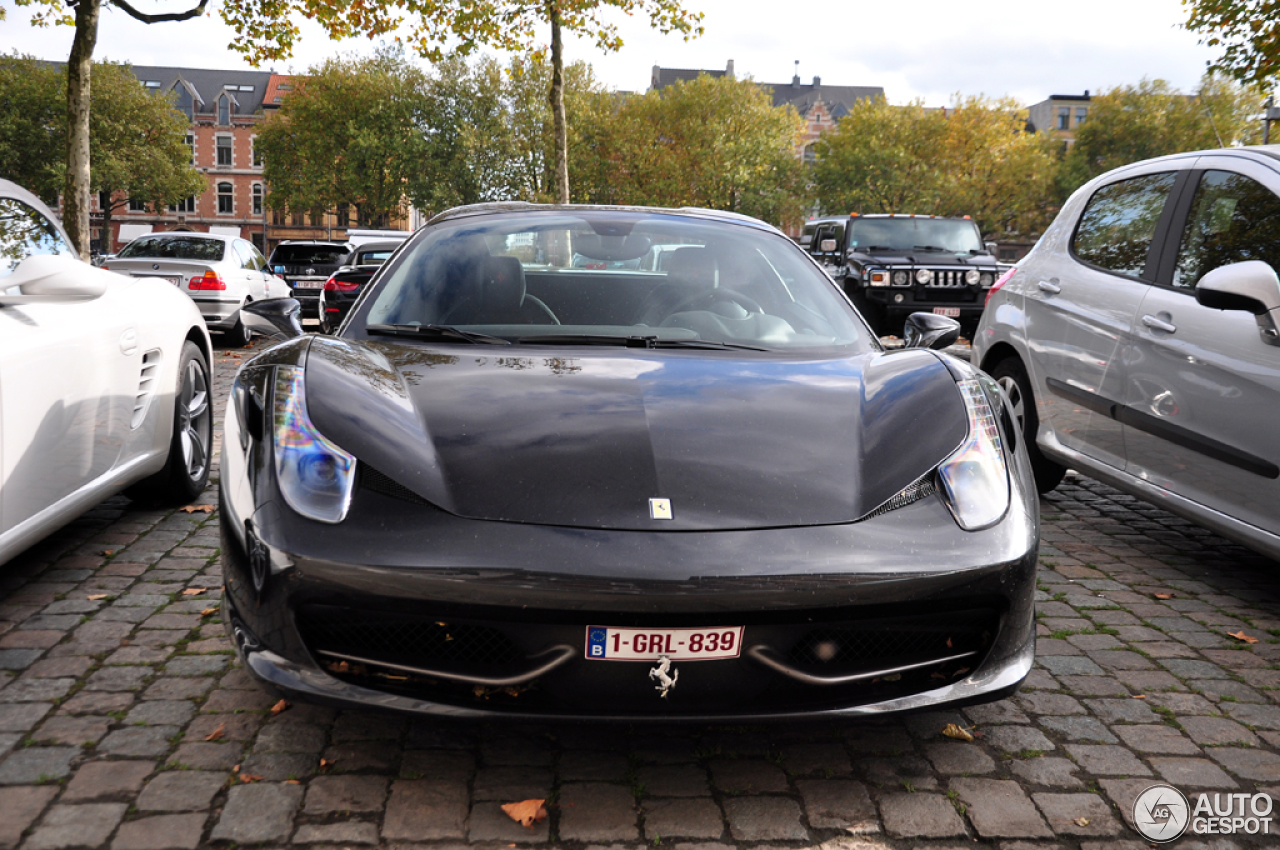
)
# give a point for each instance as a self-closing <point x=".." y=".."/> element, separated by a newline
<point x="975" y="478"/>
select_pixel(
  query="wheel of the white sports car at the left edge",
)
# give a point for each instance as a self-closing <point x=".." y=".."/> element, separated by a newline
<point x="186" y="470"/>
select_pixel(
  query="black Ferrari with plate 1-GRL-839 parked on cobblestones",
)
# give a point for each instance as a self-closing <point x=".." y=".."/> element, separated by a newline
<point x="516" y="487"/>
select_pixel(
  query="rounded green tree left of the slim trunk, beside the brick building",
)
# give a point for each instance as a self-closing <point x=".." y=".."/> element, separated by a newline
<point x="349" y="134"/>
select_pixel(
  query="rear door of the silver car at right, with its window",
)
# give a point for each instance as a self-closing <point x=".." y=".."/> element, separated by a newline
<point x="1081" y="305"/>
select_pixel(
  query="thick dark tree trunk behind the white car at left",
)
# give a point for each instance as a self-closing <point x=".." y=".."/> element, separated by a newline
<point x="79" y="70"/>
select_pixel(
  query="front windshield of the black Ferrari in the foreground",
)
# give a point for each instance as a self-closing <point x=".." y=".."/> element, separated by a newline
<point x="595" y="277"/>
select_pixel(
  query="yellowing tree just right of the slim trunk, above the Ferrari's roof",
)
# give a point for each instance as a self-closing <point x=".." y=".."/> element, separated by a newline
<point x="711" y="143"/>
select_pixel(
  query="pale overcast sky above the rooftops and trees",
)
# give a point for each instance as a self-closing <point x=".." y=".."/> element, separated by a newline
<point x="915" y="49"/>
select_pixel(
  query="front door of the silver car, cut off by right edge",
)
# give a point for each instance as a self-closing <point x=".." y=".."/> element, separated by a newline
<point x="1204" y="389"/>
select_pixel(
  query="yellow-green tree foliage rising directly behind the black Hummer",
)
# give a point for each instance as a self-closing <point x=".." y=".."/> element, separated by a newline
<point x="972" y="159"/>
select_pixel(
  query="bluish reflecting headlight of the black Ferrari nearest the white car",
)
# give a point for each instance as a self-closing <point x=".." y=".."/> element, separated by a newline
<point x="316" y="477"/>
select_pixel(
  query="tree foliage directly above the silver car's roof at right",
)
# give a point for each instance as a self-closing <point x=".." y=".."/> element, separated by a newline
<point x="1132" y="124"/>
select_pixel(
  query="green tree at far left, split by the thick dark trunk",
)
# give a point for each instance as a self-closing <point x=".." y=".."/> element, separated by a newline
<point x="138" y="139"/>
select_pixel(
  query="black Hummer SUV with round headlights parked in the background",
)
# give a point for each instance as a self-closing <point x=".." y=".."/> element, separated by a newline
<point x="895" y="266"/>
